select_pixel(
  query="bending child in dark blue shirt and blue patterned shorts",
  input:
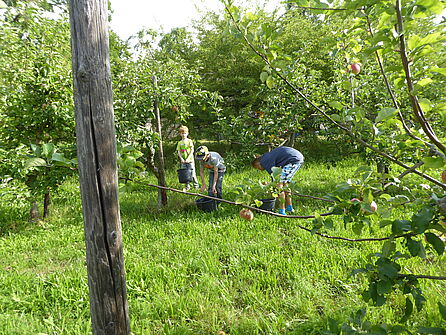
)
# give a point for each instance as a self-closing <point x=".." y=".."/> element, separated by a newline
<point x="290" y="160"/>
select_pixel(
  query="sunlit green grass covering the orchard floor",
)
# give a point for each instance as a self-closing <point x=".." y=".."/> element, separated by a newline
<point x="190" y="272"/>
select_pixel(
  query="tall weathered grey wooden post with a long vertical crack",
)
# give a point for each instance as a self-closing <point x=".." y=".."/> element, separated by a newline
<point x="96" y="150"/>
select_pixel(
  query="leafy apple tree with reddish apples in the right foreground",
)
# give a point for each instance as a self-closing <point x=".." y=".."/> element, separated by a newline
<point x="393" y="108"/>
